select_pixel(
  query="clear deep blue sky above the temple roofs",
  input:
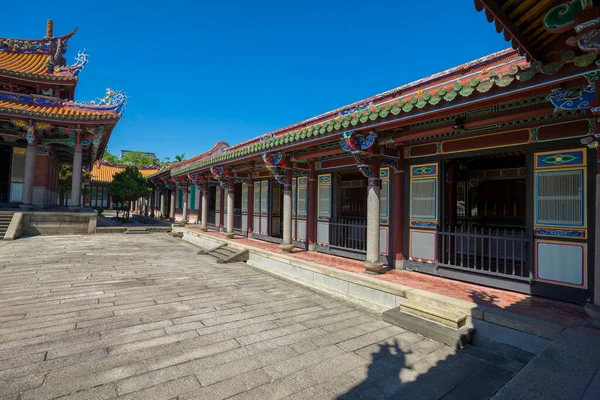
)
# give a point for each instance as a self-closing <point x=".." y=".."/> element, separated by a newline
<point x="197" y="72"/>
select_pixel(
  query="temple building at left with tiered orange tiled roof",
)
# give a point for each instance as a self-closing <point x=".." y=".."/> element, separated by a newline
<point x="41" y="124"/>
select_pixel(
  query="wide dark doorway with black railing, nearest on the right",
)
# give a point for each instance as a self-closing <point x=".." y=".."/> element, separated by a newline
<point x="484" y="223"/>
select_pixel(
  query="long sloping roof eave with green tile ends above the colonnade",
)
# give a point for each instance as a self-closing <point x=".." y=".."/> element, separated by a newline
<point x="516" y="75"/>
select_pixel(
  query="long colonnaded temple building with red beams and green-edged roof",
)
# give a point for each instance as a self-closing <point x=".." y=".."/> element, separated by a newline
<point x="485" y="173"/>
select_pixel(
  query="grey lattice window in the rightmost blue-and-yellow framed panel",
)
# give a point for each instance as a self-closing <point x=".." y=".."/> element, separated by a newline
<point x="560" y="197"/>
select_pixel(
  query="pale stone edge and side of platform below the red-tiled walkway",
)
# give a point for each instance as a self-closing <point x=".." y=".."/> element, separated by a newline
<point x="492" y="323"/>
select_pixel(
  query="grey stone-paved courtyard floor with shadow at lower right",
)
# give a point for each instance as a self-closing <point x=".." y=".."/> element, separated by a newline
<point x="144" y="316"/>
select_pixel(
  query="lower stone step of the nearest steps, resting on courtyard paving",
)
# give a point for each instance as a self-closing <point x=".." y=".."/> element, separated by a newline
<point x="456" y="338"/>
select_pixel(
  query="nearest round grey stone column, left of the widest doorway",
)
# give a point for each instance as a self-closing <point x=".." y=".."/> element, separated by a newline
<point x="372" y="263"/>
